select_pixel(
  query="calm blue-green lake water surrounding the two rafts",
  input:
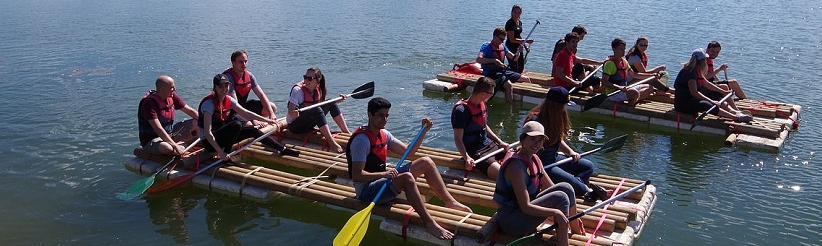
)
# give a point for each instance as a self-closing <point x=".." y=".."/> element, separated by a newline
<point x="75" y="71"/>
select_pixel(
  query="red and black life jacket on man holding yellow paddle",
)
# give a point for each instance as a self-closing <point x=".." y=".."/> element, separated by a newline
<point x="375" y="161"/>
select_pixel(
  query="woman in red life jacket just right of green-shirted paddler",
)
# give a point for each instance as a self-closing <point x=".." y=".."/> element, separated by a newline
<point x="639" y="62"/>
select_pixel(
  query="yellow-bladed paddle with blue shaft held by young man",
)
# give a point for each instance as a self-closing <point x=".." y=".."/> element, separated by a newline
<point x="354" y="230"/>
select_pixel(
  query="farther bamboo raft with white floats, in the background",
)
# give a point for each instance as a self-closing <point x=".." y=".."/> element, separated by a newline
<point x="772" y="123"/>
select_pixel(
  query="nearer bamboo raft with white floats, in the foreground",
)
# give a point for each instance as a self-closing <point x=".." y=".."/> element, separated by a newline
<point x="621" y="224"/>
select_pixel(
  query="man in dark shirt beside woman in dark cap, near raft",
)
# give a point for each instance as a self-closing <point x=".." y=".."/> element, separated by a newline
<point x="472" y="136"/>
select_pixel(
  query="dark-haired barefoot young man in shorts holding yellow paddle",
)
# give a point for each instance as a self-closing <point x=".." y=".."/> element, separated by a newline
<point x="366" y="154"/>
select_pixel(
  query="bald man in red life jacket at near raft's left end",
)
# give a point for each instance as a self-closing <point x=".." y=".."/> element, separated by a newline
<point x="155" y="117"/>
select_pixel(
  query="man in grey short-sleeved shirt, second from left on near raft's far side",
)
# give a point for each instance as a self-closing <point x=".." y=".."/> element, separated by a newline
<point x="242" y="83"/>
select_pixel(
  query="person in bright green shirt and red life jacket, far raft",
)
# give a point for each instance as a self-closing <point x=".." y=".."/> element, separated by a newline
<point x="617" y="73"/>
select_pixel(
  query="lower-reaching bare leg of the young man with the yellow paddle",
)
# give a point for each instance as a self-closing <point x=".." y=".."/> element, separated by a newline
<point x="405" y="182"/>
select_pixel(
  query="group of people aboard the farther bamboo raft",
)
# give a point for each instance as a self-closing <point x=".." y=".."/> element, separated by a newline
<point x="696" y="88"/>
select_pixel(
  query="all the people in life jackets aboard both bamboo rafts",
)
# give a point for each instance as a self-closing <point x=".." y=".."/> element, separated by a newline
<point x="528" y="192"/>
